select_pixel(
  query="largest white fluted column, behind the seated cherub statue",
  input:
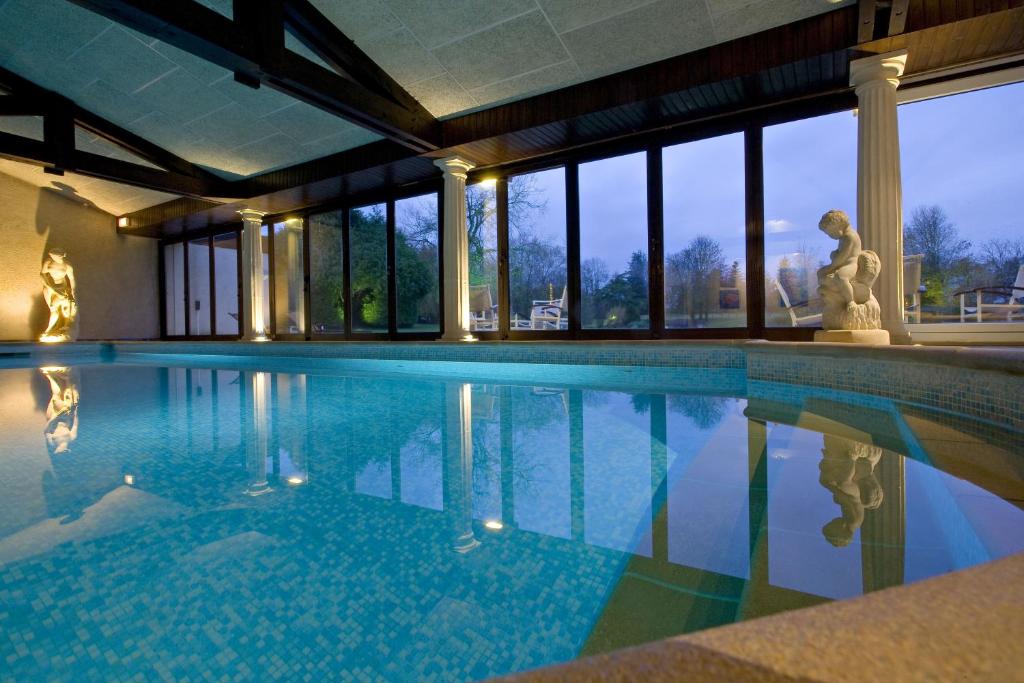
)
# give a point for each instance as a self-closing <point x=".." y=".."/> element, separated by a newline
<point x="880" y="195"/>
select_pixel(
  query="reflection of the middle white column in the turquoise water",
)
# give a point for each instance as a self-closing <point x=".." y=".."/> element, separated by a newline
<point x="458" y="450"/>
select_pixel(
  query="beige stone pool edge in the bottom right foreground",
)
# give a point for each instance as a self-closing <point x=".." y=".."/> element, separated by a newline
<point x="967" y="626"/>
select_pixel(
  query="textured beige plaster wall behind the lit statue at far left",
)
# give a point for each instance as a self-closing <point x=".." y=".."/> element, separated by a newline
<point x="116" y="276"/>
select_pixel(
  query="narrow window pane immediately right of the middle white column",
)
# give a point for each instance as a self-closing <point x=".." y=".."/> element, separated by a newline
<point x="482" y="224"/>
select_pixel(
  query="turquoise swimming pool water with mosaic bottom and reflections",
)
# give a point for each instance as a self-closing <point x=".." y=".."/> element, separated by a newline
<point x="210" y="520"/>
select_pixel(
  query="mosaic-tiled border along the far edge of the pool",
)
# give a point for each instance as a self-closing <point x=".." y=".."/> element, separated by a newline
<point x="986" y="385"/>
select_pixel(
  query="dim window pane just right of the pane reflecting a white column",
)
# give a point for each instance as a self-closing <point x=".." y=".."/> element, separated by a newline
<point x="327" y="266"/>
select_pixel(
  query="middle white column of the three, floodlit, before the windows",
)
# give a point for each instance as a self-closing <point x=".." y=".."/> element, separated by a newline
<point x="457" y="327"/>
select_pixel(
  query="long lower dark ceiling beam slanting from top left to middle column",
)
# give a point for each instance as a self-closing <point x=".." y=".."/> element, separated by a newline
<point x="191" y="27"/>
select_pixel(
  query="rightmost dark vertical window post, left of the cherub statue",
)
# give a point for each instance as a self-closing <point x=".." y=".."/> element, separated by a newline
<point x="754" y="189"/>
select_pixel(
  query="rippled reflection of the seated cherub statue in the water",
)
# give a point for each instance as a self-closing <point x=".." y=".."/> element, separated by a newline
<point x="848" y="472"/>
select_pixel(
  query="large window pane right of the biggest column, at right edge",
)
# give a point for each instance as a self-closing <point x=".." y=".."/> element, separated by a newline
<point x="961" y="160"/>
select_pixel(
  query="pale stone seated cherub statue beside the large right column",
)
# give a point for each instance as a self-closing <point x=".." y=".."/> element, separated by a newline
<point x="845" y="285"/>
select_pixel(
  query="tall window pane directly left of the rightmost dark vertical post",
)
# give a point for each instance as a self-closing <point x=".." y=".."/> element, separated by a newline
<point x="705" y="234"/>
